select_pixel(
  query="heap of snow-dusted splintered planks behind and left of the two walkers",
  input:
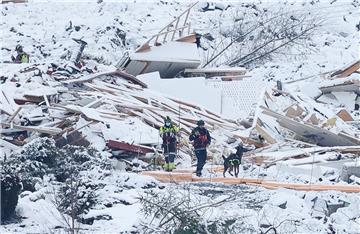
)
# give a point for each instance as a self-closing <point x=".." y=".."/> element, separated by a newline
<point x="63" y="108"/>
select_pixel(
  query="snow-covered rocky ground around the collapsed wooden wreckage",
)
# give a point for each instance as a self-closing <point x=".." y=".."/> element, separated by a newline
<point x="46" y="29"/>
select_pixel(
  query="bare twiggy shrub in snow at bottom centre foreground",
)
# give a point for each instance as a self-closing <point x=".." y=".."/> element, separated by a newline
<point x="176" y="209"/>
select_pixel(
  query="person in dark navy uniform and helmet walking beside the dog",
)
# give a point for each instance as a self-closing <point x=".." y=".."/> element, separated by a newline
<point x="201" y="138"/>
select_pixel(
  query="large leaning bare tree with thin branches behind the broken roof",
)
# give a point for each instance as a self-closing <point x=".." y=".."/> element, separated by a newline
<point x="259" y="35"/>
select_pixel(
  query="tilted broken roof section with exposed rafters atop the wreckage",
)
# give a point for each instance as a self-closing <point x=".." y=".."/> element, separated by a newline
<point x="170" y="51"/>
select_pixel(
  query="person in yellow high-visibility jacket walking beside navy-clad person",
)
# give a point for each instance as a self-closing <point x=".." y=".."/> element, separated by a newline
<point x="169" y="132"/>
